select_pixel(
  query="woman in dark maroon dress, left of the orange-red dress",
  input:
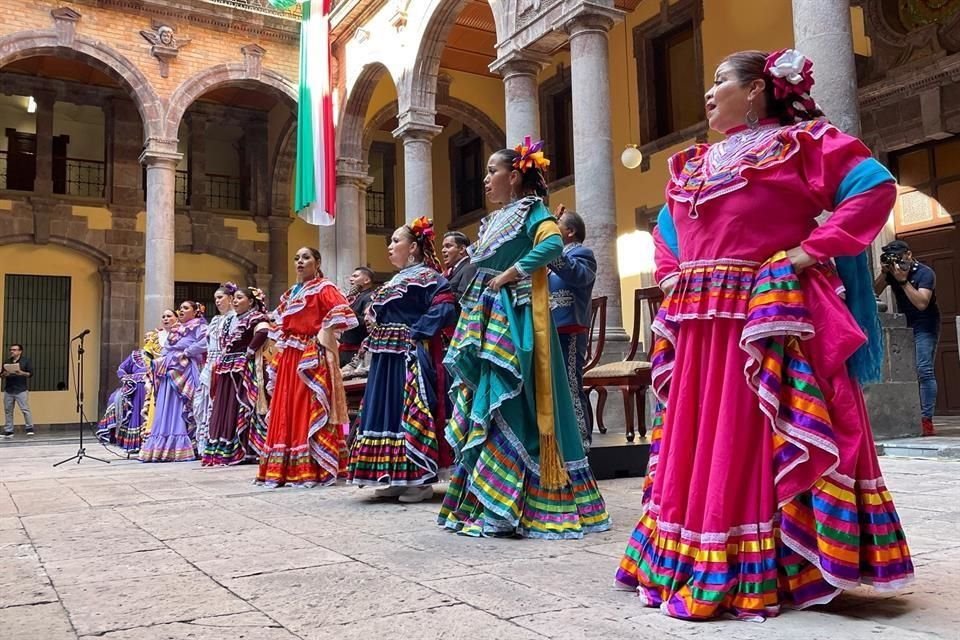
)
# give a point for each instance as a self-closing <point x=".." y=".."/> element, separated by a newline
<point x="238" y="427"/>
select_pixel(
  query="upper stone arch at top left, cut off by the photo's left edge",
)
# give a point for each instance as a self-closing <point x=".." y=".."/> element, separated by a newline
<point x="97" y="54"/>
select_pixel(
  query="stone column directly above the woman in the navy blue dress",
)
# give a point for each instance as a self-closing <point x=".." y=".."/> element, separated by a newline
<point x="417" y="135"/>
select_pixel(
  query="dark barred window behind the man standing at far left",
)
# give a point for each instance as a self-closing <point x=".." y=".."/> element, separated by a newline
<point x="36" y="314"/>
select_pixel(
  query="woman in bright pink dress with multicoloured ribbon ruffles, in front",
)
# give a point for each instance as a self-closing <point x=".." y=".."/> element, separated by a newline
<point x="764" y="489"/>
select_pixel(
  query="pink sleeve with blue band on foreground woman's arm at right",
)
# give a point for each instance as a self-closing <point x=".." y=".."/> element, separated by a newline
<point x="846" y="180"/>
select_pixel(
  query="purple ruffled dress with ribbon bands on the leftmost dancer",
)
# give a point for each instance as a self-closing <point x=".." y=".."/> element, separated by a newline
<point x="123" y="421"/>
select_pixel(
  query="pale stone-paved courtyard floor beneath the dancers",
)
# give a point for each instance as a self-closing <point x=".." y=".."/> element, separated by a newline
<point x="162" y="552"/>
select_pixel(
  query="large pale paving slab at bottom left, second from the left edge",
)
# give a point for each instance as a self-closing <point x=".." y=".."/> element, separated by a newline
<point x="98" y="607"/>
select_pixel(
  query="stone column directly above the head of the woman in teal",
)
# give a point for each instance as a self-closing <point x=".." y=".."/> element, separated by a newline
<point x="521" y="90"/>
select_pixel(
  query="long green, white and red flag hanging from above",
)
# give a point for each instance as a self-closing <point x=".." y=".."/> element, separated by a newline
<point x="316" y="180"/>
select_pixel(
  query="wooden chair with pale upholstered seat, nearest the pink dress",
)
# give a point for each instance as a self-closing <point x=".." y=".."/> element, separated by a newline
<point x="630" y="375"/>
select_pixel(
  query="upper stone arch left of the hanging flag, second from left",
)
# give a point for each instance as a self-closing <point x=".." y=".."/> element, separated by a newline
<point x="222" y="75"/>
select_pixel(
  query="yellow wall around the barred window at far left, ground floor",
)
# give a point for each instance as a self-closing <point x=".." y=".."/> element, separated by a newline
<point x="58" y="407"/>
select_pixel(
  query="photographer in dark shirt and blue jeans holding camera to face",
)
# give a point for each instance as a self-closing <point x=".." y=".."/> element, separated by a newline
<point x="913" y="287"/>
